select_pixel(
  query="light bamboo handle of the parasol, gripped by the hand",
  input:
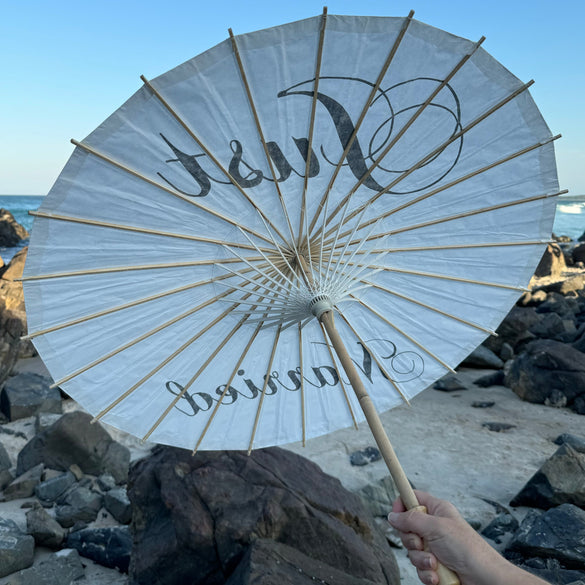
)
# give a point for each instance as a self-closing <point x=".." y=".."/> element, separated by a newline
<point x="407" y="495"/>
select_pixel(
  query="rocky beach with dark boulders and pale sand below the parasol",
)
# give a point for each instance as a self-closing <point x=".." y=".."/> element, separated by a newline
<point x="504" y="439"/>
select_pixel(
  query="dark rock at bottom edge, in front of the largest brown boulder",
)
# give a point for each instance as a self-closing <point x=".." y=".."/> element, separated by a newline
<point x="267" y="562"/>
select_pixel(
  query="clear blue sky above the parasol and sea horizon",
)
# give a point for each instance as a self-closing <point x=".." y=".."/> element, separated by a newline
<point x="66" y="65"/>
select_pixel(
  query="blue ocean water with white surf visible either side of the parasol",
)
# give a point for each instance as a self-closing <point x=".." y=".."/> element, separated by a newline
<point x="569" y="218"/>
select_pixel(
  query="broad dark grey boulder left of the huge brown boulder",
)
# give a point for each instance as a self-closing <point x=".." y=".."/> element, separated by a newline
<point x="73" y="440"/>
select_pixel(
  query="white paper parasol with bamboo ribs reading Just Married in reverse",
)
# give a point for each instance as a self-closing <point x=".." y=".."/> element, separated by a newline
<point x="184" y="269"/>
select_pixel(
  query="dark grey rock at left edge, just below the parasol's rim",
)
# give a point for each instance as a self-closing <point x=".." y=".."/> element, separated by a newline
<point x="28" y="394"/>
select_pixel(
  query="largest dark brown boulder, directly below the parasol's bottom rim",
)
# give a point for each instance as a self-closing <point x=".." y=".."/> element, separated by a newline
<point x="194" y="517"/>
